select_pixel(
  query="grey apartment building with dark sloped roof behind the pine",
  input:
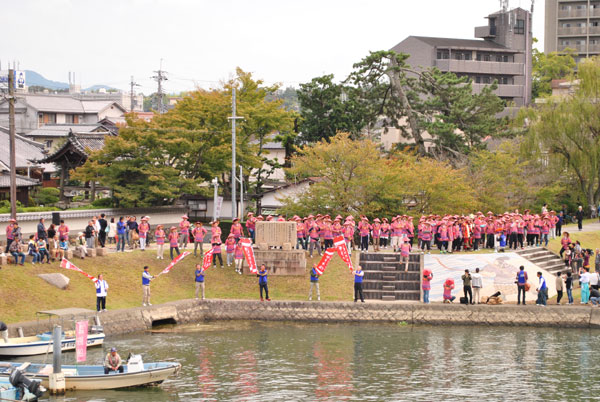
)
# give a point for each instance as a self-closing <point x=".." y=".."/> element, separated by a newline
<point x="502" y="54"/>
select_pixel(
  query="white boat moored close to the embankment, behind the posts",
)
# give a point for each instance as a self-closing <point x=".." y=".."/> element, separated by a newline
<point x="32" y="345"/>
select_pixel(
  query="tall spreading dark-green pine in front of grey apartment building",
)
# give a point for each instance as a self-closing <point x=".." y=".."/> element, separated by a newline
<point x="431" y="101"/>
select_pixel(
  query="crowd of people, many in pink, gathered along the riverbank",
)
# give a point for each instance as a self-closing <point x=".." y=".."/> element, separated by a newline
<point x="315" y="233"/>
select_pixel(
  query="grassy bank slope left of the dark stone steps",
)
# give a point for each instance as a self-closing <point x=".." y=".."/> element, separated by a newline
<point x="22" y="293"/>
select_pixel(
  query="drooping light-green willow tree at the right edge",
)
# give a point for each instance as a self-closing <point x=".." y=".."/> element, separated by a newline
<point x="564" y="134"/>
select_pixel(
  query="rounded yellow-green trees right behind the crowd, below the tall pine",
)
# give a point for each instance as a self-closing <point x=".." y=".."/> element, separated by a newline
<point x="353" y="177"/>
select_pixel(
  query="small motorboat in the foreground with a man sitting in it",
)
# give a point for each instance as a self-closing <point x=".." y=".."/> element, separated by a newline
<point x="77" y="377"/>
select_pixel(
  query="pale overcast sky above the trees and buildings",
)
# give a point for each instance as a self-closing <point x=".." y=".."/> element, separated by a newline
<point x="201" y="42"/>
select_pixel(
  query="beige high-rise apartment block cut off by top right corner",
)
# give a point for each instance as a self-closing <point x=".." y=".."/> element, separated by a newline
<point x="573" y="24"/>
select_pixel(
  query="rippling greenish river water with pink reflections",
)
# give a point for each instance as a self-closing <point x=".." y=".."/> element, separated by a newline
<point x="254" y="361"/>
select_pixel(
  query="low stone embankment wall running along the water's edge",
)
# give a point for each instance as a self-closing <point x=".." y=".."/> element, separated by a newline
<point x="192" y="311"/>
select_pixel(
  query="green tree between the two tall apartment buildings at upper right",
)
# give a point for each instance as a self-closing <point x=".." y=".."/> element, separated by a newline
<point x="548" y="67"/>
